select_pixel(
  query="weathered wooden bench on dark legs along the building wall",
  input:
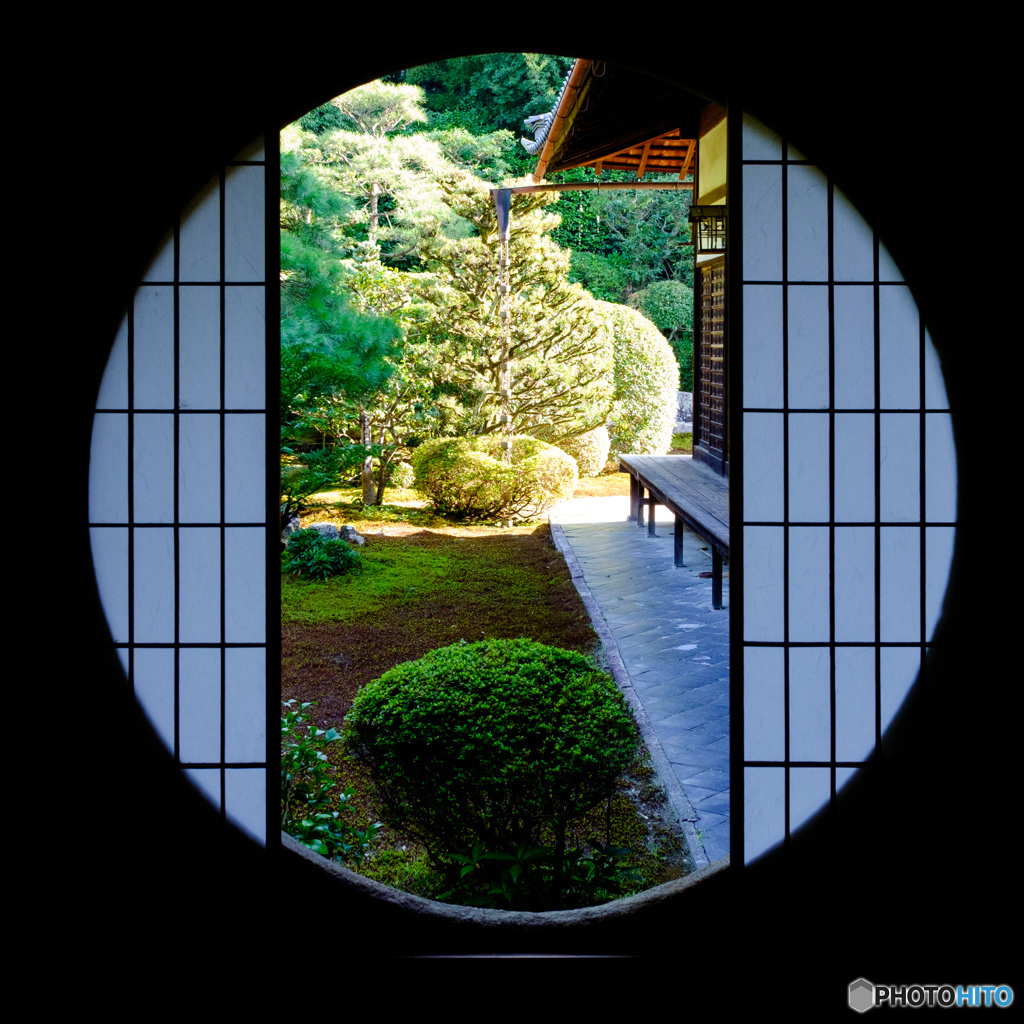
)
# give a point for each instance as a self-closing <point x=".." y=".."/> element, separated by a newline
<point x="696" y="494"/>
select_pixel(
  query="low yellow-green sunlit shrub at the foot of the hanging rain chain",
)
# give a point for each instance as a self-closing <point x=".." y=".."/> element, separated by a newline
<point x="466" y="478"/>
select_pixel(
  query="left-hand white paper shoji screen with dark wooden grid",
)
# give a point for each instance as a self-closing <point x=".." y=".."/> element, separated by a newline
<point x="178" y="492"/>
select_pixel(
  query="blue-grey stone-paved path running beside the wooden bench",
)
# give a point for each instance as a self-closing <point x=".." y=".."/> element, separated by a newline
<point x="670" y="648"/>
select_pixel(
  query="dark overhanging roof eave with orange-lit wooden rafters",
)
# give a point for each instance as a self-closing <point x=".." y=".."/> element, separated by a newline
<point x="615" y="119"/>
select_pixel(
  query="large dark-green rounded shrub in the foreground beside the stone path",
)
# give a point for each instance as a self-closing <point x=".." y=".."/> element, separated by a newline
<point x="492" y="742"/>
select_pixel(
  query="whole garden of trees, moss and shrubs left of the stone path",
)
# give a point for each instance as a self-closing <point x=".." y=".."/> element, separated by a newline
<point x="448" y="728"/>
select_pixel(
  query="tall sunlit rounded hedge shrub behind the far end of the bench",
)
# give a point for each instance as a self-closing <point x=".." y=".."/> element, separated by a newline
<point x="647" y="381"/>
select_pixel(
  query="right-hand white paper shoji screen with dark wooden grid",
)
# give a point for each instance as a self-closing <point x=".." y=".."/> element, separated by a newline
<point x="849" y="488"/>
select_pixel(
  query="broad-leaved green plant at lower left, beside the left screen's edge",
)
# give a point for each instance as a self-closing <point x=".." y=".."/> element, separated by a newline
<point x="308" y="792"/>
